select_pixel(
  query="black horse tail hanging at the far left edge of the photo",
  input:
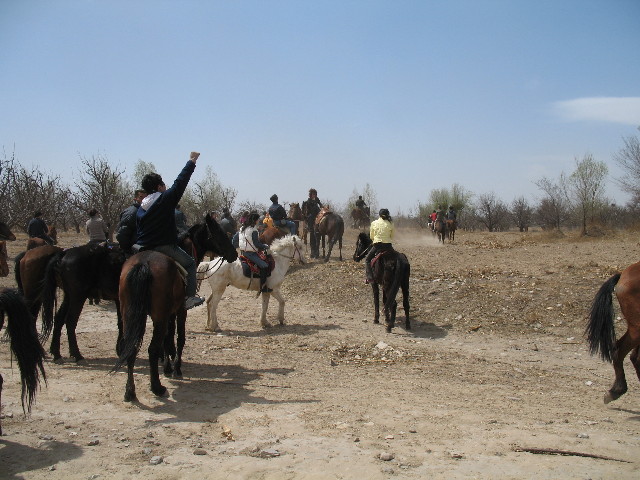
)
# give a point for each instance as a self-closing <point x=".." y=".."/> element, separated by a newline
<point x="24" y="344"/>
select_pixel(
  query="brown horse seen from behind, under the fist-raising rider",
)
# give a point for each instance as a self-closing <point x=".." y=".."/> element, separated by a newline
<point x="151" y="284"/>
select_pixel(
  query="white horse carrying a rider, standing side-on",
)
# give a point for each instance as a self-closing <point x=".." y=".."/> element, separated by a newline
<point x="220" y="274"/>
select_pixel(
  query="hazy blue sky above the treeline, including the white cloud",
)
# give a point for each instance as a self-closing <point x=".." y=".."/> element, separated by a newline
<point x="280" y="96"/>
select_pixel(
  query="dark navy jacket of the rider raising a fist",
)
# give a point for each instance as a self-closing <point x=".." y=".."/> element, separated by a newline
<point x="157" y="225"/>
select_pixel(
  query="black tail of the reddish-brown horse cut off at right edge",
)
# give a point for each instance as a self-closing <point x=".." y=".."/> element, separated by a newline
<point x="600" y="330"/>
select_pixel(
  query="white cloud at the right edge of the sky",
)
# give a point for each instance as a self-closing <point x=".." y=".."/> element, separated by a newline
<point x="624" y="110"/>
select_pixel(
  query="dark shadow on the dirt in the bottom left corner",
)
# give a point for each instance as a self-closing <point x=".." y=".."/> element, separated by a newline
<point x="52" y="452"/>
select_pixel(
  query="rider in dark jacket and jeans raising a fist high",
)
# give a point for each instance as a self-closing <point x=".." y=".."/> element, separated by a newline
<point x="156" y="223"/>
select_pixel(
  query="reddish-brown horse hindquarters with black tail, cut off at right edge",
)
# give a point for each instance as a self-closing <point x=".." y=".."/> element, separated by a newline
<point x="600" y="330"/>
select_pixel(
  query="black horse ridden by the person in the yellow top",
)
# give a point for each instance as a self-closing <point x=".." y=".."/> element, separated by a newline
<point x="392" y="271"/>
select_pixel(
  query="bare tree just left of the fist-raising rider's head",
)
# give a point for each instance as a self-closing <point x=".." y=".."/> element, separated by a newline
<point x="102" y="187"/>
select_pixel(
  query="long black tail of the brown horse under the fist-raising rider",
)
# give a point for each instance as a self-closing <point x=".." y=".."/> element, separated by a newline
<point x="138" y="284"/>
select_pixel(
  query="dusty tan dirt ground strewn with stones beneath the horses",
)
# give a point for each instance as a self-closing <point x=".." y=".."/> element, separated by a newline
<point x="495" y="362"/>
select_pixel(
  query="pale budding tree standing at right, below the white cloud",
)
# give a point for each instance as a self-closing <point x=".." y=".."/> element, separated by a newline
<point x="587" y="186"/>
